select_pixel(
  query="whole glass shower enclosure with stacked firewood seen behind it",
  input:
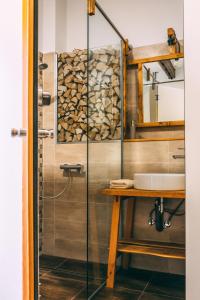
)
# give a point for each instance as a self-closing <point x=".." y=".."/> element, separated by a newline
<point x="80" y="145"/>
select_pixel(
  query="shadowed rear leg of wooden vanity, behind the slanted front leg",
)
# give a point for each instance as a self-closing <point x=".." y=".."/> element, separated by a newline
<point x="128" y="230"/>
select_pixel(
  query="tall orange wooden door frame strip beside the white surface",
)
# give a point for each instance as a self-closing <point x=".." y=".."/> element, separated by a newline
<point x="28" y="276"/>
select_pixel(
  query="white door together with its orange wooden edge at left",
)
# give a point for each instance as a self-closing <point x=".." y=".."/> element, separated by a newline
<point x="16" y="164"/>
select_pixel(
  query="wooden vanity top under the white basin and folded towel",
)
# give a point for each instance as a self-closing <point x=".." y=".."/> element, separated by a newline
<point x="144" y="193"/>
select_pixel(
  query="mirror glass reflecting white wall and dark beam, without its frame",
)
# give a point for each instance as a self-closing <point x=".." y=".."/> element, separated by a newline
<point x="163" y="91"/>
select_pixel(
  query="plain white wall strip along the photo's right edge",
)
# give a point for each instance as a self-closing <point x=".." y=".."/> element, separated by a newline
<point x="192" y="92"/>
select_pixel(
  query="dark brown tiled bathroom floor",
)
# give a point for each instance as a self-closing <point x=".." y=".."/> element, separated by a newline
<point x="63" y="279"/>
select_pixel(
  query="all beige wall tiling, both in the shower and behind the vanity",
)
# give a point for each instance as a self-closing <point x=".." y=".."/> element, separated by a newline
<point x="64" y="218"/>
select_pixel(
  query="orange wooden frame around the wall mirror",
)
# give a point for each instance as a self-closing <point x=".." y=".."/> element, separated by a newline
<point x="139" y="64"/>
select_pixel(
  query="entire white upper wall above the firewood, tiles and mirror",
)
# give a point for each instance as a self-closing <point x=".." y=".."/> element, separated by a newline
<point x="63" y="23"/>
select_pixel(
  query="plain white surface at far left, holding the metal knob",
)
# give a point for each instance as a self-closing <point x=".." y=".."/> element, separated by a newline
<point x="10" y="151"/>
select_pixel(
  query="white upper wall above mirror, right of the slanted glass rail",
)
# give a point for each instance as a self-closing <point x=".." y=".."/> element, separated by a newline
<point x="146" y="21"/>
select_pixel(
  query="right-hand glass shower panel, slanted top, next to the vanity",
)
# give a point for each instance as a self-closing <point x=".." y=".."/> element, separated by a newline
<point x="105" y="132"/>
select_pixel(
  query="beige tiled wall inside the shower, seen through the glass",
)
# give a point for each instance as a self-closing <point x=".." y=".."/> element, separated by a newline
<point x="64" y="218"/>
